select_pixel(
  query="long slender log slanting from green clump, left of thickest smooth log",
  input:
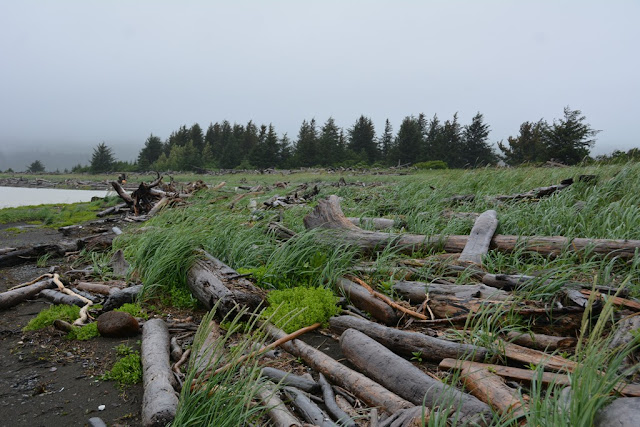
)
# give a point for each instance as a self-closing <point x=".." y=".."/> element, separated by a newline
<point x="370" y="392"/>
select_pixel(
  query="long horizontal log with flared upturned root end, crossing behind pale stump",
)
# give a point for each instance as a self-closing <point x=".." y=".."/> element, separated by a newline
<point x="328" y="215"/>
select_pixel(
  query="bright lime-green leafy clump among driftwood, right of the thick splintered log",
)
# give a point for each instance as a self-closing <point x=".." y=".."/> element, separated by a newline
<point x="296" y="308"/>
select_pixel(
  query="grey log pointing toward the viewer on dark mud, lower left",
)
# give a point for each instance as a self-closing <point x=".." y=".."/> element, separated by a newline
<point x="159" y="401"/>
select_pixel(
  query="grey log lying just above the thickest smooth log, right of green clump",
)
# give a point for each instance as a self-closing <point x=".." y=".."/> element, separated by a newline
<point x="409" y="343"/>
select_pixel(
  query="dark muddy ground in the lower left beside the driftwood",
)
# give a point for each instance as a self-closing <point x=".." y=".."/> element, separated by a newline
<point x="46" y="379"/>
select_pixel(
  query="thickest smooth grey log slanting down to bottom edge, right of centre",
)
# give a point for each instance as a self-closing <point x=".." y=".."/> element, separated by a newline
<point x="402" y="377"/>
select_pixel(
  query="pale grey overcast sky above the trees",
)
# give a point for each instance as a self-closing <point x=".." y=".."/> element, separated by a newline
<point x="75" y="73"/>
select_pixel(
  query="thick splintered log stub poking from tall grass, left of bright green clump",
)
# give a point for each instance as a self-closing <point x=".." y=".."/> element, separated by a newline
<point x="211" y="281"/>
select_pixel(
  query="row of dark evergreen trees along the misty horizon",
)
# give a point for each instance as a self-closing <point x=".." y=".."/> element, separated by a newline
<point x="421" y="141"/>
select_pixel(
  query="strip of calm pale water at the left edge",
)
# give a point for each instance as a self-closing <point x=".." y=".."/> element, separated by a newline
<point x="11" y="197"/>
